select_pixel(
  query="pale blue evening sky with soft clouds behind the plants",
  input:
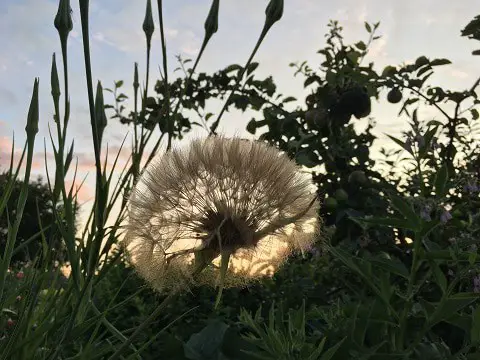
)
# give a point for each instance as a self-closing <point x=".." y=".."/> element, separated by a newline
<point x="28" y="39"/>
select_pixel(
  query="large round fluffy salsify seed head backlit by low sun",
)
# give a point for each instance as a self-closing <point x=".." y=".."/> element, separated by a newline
<point x="218" y="195"/>
